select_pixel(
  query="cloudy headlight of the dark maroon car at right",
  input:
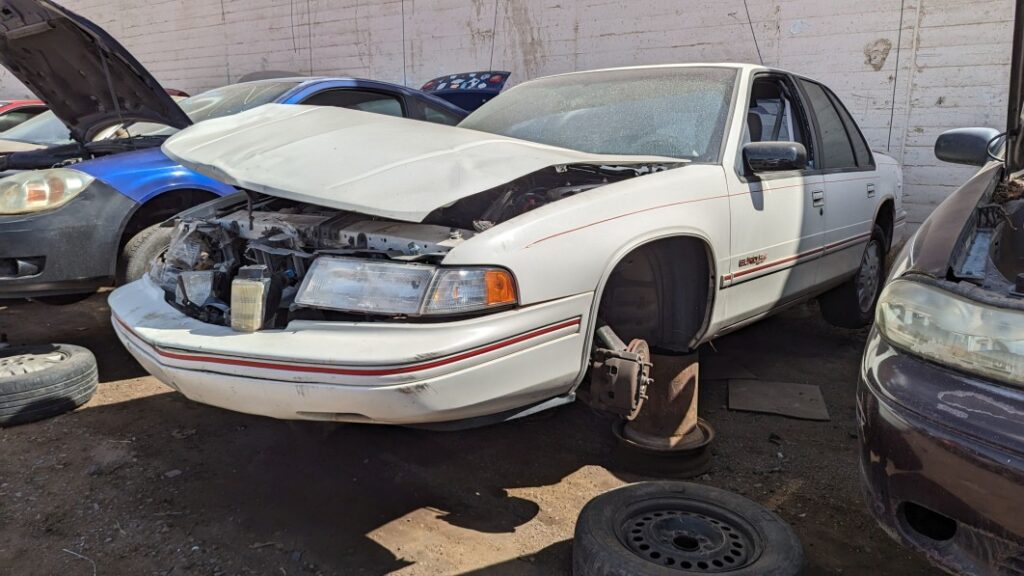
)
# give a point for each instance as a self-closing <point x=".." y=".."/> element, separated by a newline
<point x="954" y="332"/>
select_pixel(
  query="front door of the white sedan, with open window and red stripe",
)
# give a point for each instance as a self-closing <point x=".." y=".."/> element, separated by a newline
<point x="777" y="221"/>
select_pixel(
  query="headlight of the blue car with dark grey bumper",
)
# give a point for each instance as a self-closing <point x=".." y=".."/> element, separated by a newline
<point x="41" y="190"/>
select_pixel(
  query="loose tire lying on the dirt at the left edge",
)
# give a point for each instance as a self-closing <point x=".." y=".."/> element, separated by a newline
<point x="40" y="382"/>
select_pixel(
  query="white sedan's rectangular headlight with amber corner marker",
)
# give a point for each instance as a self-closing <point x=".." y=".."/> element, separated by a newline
<point x="404" y="289"/>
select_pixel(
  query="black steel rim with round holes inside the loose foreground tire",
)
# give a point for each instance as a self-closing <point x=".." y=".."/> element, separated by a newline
<point x="691" y="536"/>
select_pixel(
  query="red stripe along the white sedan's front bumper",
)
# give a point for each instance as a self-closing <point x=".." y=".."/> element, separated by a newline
<point x="576" y="322"/>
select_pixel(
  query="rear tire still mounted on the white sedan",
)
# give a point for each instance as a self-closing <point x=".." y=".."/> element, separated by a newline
<point x="852" y="305"/>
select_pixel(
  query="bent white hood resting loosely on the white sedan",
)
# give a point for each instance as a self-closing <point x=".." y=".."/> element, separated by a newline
<point x="370" y="163"/>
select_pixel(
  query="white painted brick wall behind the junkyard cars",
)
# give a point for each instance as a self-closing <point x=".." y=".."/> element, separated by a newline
<point x="953" y="56"/>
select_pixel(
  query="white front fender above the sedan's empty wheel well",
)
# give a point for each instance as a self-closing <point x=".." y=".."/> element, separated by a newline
<point x="572" y="246"/>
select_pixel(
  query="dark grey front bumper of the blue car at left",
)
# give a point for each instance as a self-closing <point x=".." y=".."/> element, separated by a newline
<point x="72" y="250"/>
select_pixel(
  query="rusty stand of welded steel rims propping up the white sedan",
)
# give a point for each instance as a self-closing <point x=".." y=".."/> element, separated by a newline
<point x="667" y="438"/>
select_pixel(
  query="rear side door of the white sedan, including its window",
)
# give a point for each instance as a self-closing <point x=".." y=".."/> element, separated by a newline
<point x="851" y="183"/>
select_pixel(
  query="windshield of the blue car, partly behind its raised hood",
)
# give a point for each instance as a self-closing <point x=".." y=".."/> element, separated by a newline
<point x="222" y="102"/>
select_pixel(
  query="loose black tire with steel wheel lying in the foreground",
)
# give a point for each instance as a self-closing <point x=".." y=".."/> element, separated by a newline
<point x="678" y="528"/>
